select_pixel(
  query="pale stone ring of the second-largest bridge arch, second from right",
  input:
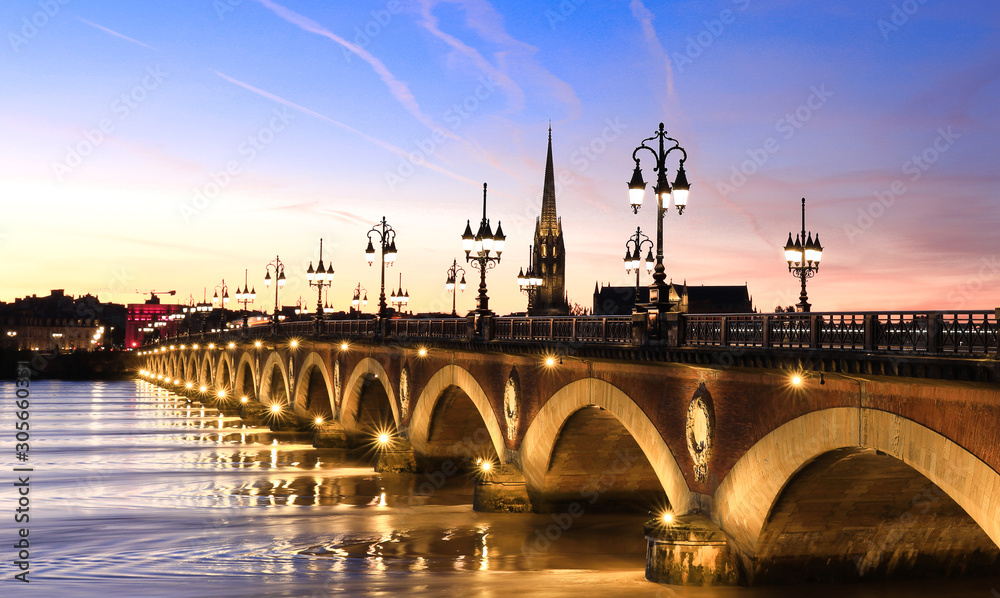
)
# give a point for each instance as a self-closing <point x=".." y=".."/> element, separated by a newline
<point x="540" y="440"/>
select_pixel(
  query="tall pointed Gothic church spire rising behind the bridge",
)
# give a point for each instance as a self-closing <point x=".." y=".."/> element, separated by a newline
<point x="549" y="251"/>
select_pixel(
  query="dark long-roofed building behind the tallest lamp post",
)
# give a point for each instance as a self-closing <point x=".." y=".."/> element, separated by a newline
<point x="610" y="300"/>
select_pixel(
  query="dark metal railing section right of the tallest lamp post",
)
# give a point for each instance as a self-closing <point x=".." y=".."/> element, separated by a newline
<point x="968" y="332"/>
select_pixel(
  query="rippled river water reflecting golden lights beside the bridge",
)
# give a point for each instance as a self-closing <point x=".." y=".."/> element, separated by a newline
<point x="134" y="492"/>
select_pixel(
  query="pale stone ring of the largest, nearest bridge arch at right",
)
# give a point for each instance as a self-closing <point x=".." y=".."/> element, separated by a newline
<point x="747" y="498"/>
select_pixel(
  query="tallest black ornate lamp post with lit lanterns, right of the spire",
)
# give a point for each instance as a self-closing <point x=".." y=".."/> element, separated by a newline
<point x="663" y="191"/>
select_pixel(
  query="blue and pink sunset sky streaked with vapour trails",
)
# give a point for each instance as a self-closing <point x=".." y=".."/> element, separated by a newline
<point x="120" y="119"/>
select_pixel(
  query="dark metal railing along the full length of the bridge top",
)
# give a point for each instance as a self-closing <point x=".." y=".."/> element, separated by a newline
<point x="972" y="333"/>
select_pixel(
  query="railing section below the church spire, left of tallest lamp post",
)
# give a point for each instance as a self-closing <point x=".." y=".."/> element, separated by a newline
<point x="588" y="329"/>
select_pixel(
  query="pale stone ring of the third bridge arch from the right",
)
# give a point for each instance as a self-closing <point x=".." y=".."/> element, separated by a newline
<point x="449" y="379"/>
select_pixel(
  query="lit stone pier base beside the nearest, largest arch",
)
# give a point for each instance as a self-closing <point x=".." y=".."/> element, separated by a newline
<point x="690" y="550"/>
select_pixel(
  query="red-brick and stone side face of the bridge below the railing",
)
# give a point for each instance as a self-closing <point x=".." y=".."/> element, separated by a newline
<point x="765" y="430"/>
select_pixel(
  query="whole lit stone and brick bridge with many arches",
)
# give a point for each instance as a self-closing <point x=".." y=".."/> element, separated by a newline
<point x="762" y="464"/>
